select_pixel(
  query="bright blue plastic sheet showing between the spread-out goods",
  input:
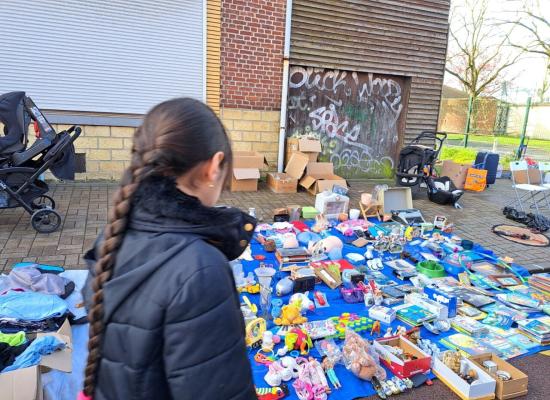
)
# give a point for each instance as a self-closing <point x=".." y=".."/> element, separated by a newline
<point x="351" y="386"/>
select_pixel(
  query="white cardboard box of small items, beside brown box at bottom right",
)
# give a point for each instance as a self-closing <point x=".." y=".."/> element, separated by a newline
<point x="482" y="388"/>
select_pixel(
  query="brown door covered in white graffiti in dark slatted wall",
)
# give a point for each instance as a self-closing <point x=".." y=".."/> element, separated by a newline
<point x="358" y="117"/>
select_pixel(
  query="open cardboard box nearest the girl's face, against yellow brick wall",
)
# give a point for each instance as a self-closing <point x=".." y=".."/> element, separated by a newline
<point x="246" y="171"/>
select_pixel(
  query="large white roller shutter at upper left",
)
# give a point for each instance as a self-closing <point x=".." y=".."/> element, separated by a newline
<point x="110" y="56"/>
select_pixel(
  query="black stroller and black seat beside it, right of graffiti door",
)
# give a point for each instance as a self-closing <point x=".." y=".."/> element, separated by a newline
<point x="416" y="168"/>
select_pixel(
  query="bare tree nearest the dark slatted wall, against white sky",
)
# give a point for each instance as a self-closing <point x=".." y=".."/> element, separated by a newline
<point x="479" y="50"/>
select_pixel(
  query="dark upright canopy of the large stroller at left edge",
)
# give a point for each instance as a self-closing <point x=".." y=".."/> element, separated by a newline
<point x="12" y="116"/>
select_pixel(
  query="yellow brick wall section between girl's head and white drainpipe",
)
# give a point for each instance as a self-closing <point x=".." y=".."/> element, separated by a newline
<point x="252" y="130"/>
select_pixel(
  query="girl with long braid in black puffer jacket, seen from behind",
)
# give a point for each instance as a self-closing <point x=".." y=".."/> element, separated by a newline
<point x="165" y="319"/>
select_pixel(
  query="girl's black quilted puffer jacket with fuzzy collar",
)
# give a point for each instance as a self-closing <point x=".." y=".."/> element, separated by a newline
<point x="174" y="329"/>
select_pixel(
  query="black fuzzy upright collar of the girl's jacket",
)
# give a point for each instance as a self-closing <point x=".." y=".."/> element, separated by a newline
<point x="159" y="206"/>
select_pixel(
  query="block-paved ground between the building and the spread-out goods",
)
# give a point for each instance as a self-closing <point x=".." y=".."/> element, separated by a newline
<point x="84" y="208"/>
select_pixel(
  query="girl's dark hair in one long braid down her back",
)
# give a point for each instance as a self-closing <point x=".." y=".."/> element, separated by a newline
<point x="176" y="136"/>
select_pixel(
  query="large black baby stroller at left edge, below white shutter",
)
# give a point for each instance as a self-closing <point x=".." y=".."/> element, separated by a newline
<point x="21" y="167"/>
